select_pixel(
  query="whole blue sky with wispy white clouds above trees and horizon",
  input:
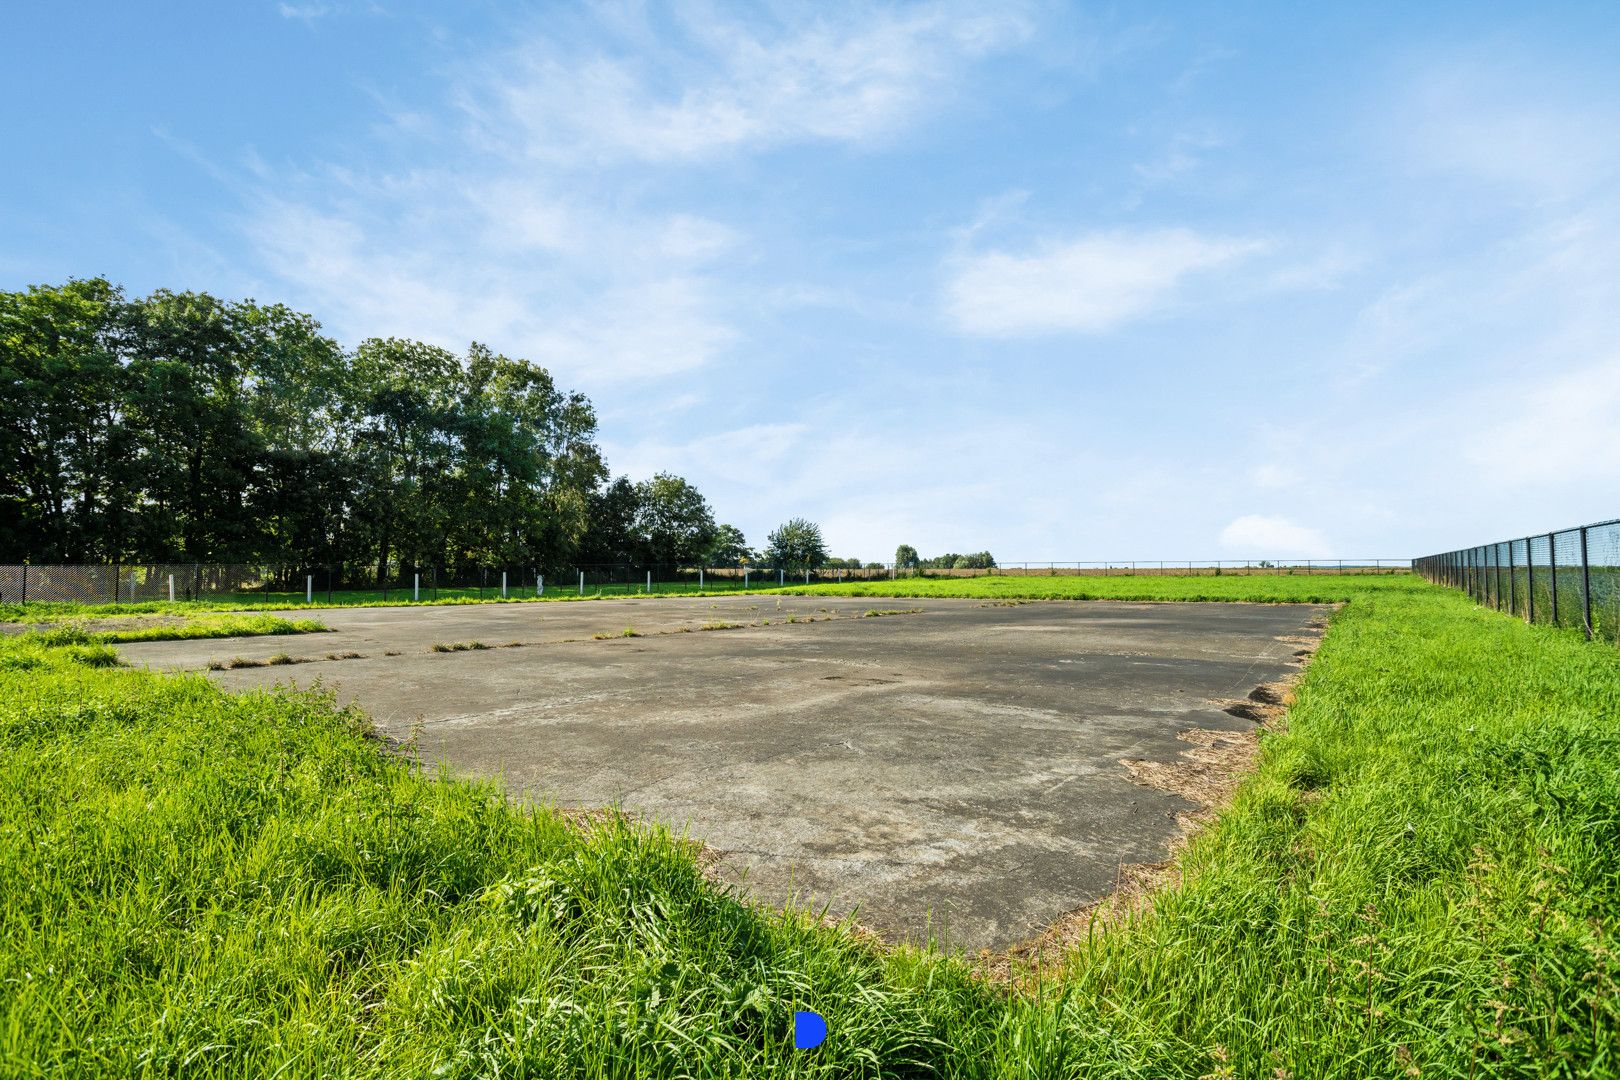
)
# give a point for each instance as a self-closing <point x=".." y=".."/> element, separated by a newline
<point x="1059" y="281"/>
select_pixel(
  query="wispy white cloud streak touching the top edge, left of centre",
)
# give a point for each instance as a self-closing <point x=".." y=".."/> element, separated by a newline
<point x="715" y="85"/>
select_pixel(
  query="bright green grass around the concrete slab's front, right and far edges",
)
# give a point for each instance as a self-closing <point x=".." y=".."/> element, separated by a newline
<point x="1422" y="880"/>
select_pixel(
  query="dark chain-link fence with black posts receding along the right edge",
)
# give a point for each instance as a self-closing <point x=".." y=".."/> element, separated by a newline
<point x="1566" y="579"/>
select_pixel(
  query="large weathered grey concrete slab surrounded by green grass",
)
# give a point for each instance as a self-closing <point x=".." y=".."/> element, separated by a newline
<point x="952" y="772"/>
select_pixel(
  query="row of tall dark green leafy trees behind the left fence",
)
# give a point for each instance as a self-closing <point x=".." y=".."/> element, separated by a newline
<point x="184" y="428"/>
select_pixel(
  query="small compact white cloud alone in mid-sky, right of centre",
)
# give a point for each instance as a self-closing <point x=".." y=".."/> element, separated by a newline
<point x="1085" y="286"/>
